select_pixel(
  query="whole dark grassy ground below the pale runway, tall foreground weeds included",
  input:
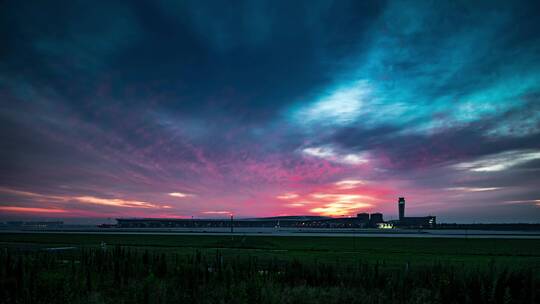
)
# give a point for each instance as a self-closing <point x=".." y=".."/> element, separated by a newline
<point x="240" y="270"/>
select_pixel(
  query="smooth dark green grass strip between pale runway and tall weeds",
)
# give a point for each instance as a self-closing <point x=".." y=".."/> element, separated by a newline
<point x="343" y="250"/>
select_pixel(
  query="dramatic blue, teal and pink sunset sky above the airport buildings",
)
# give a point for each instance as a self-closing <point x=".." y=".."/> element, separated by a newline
<point x="266" y="108"/>
